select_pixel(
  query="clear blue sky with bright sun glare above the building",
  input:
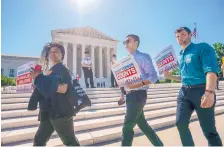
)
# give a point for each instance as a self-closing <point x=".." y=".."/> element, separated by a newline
<point x="26" y="24"/>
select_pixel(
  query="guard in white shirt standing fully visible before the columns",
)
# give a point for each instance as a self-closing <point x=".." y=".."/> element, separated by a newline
<point x="87" y="69"/>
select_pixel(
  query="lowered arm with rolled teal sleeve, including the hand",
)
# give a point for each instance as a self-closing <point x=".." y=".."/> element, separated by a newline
<point x="210" y="68"/>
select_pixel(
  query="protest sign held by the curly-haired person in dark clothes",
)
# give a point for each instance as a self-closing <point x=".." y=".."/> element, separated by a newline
<point x="23" y="79"/>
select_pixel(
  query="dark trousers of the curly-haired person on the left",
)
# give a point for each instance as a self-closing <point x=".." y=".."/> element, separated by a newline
<point x="64" y="128"/>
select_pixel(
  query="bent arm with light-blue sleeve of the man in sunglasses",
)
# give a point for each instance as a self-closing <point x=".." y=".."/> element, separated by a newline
<point x="149" y="69"/>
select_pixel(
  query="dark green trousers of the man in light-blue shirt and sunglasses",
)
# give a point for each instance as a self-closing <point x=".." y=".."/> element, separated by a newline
<point x="135" y="102"/>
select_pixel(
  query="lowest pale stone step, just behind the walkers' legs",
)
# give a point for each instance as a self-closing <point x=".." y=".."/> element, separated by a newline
<point x="92" y="137"/>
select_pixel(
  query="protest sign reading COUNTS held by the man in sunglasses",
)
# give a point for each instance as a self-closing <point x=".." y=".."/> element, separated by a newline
<point x="126" y="71"/>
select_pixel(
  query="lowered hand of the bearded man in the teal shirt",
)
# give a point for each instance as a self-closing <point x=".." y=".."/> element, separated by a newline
<point x="207" y="100"/>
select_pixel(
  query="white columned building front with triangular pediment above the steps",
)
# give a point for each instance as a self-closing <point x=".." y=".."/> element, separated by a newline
<point x="78" y="40"/>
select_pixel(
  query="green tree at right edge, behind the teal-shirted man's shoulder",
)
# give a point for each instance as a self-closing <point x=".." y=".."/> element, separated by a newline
<point x="219" y="50"/>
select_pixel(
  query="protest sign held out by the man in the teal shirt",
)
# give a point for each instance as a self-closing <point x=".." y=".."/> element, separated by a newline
<point x="166" y="60"/>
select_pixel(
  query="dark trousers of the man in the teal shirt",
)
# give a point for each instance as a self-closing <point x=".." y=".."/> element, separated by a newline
<point x="189" y="99"/>
